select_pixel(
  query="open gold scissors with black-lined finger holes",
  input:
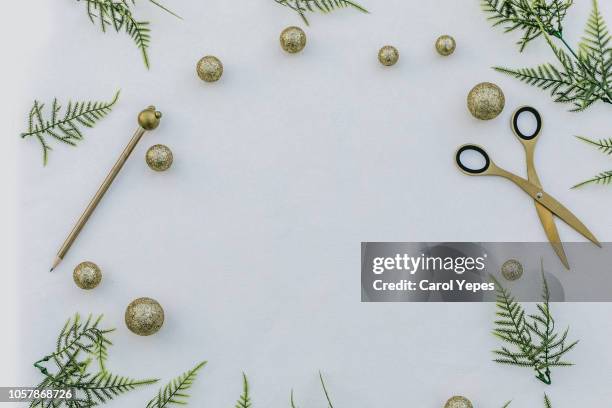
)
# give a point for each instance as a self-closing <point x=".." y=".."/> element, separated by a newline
<point x="546" y="206"/>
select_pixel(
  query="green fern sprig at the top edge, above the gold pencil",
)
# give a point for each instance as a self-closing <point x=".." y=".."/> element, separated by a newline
<point x="118" y="15"/>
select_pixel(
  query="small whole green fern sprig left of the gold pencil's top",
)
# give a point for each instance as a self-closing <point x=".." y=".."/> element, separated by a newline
<point x="64" y="128"/>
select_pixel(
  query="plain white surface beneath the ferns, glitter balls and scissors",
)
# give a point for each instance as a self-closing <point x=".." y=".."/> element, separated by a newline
<point x="251" y="241"/>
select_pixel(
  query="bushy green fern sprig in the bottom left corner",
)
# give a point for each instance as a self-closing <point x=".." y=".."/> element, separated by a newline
<point x="80" y="342"/>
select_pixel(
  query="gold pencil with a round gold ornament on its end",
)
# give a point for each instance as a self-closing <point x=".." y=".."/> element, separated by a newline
<point x="148" y="119"/>
